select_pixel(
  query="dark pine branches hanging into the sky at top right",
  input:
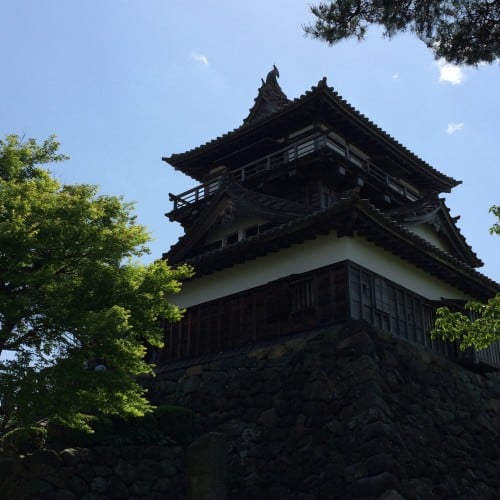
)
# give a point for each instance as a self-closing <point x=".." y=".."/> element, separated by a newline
<point x="460" y="31"/>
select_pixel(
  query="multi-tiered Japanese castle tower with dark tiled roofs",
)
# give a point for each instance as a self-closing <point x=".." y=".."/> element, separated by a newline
<point x="307" y="215"/>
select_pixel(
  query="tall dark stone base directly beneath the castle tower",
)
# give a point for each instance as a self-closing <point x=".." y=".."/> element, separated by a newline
<point x="346" y="413"/>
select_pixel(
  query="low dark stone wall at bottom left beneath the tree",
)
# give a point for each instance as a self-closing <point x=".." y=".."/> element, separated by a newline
<point x="133" y="472"/>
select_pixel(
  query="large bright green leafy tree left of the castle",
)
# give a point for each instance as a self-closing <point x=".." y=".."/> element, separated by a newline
<point x="72" y="293"/>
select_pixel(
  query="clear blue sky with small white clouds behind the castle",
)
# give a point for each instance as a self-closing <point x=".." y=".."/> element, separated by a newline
<point x="123" y="83"/>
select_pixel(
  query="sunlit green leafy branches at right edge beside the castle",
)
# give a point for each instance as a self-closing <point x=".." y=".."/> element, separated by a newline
<point x="484" y="328"/>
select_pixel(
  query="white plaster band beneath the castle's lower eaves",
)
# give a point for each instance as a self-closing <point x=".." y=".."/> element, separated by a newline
<point x="311" y="255"/>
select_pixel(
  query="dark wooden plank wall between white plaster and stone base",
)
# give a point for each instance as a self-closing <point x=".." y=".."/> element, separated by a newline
<point x="299" y="303"/>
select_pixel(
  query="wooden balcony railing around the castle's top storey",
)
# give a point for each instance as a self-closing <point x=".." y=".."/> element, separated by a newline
<point x="303" y="147"/>
